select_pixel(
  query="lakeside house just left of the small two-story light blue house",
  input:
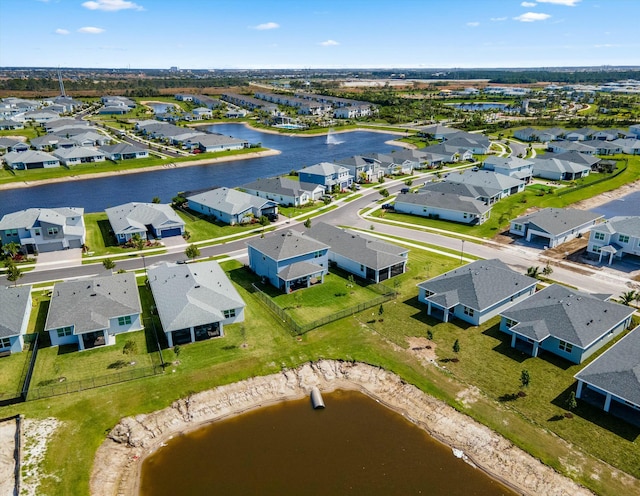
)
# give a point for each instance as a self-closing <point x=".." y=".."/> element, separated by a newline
<point x="284" y="191"/>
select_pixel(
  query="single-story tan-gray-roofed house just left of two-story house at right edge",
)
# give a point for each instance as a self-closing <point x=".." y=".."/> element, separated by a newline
<point x="554" y="226"/>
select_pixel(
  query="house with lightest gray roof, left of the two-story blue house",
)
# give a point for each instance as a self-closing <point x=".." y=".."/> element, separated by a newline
<point x="194" y="301"/>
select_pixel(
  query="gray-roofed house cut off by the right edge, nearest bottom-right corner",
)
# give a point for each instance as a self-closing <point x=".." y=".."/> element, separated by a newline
<point x="612" y="381"/>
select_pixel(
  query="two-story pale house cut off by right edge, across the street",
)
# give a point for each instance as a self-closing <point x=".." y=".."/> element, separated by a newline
<point x="615" y="238"/>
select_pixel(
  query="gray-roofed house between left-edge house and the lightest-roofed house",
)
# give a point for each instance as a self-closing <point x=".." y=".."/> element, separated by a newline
<point x="92" y="312"/>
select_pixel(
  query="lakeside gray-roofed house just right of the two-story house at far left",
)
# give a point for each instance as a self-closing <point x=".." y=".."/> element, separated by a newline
<point x="155" y="220"/>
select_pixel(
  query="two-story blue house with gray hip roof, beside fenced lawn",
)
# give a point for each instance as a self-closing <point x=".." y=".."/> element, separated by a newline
<point x="289" y="260"/>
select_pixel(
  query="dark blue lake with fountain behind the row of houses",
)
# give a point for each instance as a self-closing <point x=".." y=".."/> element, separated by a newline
<point x="97" y="194"/>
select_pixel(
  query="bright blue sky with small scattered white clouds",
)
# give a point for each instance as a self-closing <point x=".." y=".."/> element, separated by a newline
<point x="223" y="34"/>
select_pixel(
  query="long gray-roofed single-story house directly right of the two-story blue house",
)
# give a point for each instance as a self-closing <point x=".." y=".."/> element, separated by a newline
<point x="366" y="257"/>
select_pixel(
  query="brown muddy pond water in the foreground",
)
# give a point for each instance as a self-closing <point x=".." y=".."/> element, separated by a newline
<point x="354" y="446"/>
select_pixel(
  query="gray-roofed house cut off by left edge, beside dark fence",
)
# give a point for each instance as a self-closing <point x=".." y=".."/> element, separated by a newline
<point x="15" y="303"/>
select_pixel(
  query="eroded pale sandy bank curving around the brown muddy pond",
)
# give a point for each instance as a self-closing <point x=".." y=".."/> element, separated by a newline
<point x="118" y="461"/>
